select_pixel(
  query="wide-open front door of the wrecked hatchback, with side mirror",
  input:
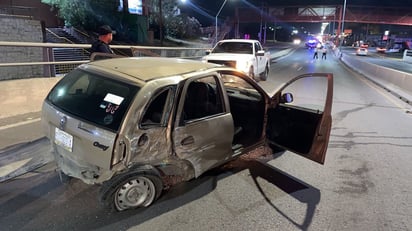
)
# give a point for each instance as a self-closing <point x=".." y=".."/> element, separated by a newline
<point x="299" y="118"/>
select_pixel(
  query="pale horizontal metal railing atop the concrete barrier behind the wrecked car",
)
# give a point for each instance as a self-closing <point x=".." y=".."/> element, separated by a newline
<point x="50" y="64"/>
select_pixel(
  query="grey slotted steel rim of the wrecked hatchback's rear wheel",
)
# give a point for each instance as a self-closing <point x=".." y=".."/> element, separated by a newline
<point x="137" y="192"/>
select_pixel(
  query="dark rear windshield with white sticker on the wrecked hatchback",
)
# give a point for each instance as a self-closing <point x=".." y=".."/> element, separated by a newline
<point x="97" y="99"/>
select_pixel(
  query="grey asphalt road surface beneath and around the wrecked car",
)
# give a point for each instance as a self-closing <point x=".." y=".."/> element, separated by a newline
<point x="364" y="184"/>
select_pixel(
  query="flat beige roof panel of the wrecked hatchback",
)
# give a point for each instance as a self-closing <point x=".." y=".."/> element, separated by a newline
<point x="149" y="68"/>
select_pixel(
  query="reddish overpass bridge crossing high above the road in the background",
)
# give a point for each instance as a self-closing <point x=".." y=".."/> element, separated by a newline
<point x="326" y="14"/>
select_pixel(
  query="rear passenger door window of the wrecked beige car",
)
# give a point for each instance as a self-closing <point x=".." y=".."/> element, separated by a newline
<point x="203" y="99"/>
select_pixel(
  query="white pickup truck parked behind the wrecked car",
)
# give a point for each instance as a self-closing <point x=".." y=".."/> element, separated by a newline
<point x="243" y="54"/>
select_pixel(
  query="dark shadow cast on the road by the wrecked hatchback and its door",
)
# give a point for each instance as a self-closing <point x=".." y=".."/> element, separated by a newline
<point x="42" y="202"/>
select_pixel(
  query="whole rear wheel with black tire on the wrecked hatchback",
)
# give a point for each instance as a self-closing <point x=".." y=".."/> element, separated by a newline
<point x="131" y="191"/>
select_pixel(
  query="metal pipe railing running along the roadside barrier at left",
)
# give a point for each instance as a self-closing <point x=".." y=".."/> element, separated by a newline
<point x="50" y="65"/>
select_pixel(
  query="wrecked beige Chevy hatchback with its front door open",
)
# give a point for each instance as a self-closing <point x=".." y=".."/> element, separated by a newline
<point x="133" y="124"/>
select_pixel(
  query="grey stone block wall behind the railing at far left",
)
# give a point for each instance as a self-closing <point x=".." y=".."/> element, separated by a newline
<point x="20" y="29"/>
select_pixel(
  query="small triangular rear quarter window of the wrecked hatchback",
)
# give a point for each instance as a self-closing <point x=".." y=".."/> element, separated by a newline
<point x="156" y="110"/>
